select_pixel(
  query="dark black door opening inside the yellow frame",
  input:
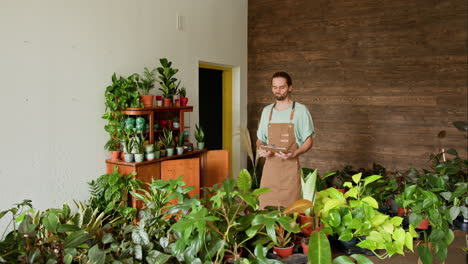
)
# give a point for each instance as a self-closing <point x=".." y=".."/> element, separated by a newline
<point x="211" y="106"/>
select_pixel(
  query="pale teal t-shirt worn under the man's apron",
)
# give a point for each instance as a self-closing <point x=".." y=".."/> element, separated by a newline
<point x="303" y="123"/>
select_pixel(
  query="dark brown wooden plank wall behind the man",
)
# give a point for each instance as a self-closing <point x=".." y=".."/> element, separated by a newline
<point x="380" y="77"/>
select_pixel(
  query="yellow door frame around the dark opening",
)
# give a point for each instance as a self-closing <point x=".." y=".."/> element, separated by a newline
<point x="227" y="108"/>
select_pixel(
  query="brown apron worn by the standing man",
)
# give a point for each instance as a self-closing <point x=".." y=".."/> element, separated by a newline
<point x="281" y="176"/>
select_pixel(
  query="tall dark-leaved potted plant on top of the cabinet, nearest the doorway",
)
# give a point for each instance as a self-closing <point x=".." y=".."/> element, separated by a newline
<point x="167" y="81"/>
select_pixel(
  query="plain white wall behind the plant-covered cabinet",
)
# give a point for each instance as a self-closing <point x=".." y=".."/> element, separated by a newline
<point x="57" y="57"/>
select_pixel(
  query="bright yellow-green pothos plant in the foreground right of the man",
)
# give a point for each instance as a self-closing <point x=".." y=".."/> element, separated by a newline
<point x="354" y="214"/>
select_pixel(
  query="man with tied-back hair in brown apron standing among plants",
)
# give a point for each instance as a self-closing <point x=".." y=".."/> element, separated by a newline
<point x="286" y="127"/>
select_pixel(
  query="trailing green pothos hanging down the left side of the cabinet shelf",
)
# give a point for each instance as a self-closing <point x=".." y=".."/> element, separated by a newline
<point x="121" y="94"/>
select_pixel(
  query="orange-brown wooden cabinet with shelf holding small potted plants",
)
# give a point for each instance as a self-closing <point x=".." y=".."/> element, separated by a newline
<point x="199" y="168"/>
